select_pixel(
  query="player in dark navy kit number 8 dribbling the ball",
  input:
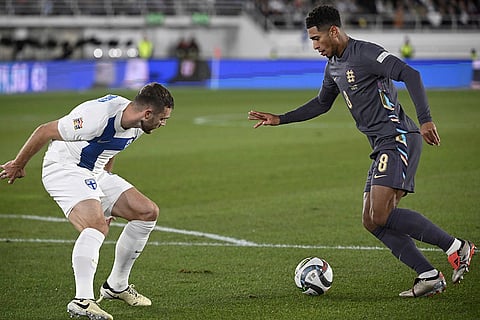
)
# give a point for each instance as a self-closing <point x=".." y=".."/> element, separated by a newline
<point x="362" y="73"/>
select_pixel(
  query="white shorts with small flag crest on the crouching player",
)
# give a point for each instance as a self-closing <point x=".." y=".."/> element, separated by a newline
<point x="68" y="184"/>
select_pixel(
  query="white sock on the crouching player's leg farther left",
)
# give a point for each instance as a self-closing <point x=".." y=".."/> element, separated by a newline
<point x="84" y="261"/>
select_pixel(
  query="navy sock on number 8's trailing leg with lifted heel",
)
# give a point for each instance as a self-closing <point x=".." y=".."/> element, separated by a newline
<point x="418" y="227"/>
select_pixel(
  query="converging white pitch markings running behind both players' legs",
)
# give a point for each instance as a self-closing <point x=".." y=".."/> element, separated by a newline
<point x="227" y="241"/>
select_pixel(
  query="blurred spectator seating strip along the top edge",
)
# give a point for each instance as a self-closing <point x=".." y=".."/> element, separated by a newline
<point x="281" y="14"/>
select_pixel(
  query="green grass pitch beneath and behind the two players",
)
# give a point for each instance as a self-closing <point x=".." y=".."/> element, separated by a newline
<point x="209" y="171"/>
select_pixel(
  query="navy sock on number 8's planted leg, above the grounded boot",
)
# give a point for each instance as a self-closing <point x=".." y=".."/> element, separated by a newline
<point x="403" y="247"/>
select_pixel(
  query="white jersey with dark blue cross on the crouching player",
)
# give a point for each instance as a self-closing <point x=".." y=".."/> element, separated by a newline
<point x="92" y="134"/>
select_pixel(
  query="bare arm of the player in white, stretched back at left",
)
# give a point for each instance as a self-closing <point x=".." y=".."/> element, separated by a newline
<point x="15" y="168"/>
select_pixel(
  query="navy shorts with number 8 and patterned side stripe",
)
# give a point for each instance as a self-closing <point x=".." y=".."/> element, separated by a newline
<point x="396" y="167"/>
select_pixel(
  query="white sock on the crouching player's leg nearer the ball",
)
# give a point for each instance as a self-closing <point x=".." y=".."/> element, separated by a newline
<point x="129" y="246"/>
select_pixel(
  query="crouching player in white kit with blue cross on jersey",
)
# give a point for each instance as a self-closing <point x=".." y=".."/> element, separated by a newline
<point x="77" y="173"/>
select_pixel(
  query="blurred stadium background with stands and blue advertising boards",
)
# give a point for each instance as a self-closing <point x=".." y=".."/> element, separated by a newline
<point x="48" y="45"/>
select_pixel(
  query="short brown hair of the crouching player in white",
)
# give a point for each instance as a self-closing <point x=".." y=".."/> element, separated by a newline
<point x="156" y="96"/>
